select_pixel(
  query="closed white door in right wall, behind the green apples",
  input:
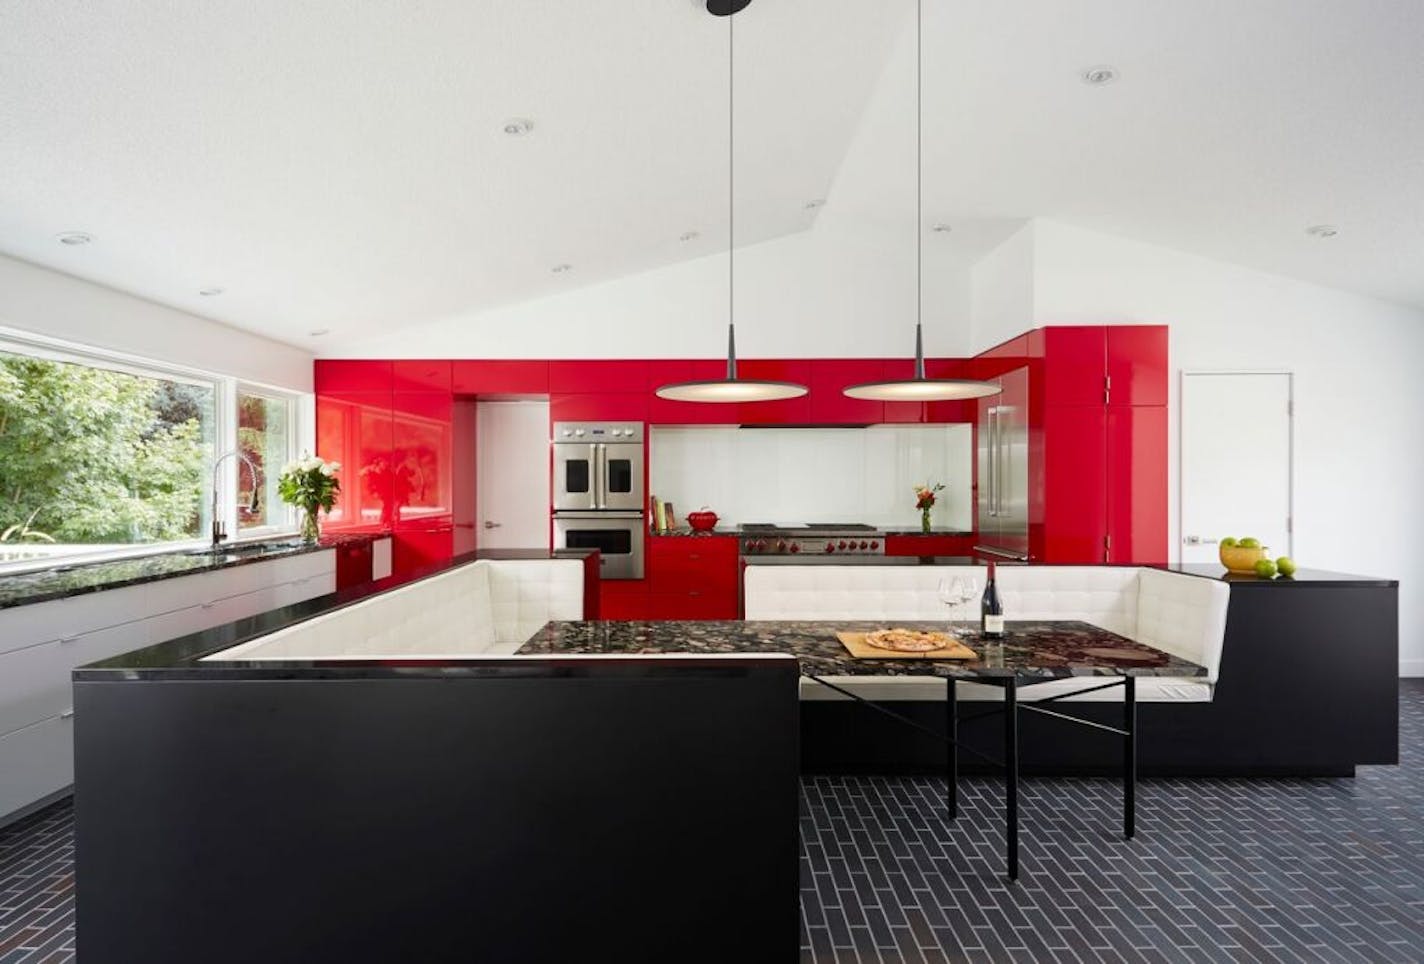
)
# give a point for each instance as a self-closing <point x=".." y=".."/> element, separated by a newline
<point x="1235" y="461"/>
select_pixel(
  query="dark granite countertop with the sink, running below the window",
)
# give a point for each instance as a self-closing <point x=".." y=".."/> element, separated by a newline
<point x="63" y="582"/>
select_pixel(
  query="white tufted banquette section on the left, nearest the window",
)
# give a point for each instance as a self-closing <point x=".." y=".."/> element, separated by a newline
<point x="485" y="607"/>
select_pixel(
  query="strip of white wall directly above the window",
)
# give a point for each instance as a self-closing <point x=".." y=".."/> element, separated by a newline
<point x="46" y="303"/>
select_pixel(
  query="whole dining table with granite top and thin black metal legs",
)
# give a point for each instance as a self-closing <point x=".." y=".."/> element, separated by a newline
<point x="1027" y="654"/>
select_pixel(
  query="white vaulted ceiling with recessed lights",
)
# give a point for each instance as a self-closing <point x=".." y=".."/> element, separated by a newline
<point x="342" y="166"/>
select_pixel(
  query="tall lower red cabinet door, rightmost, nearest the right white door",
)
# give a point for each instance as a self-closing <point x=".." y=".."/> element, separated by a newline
<point x="1137" y="485"/>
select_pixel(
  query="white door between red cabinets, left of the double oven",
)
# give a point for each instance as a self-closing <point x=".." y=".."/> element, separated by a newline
<point x="512" y="489"/>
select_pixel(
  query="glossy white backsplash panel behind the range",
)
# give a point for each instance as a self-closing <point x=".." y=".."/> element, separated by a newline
<point x="815" y="475"/>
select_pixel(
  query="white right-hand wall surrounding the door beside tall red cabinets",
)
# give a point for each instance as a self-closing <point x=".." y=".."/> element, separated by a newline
<point x="1359" y="394"/>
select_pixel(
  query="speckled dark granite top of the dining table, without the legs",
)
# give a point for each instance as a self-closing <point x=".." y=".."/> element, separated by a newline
<point x="1029" y="650"/>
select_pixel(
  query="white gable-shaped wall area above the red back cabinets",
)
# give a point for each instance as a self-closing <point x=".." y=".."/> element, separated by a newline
<point x="837" y="291"/>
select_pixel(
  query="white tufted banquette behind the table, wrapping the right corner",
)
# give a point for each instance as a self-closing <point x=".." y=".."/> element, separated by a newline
<point x="1180" y="614"/>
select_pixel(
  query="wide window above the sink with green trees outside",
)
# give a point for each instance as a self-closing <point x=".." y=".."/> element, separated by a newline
<point x="112" y="456"/>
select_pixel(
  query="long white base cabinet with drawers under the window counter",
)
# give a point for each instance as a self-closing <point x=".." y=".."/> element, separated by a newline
<point x="42" y="643"/>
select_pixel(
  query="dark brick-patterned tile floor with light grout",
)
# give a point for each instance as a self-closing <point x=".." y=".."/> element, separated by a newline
<point x="1223" y="871"/>
